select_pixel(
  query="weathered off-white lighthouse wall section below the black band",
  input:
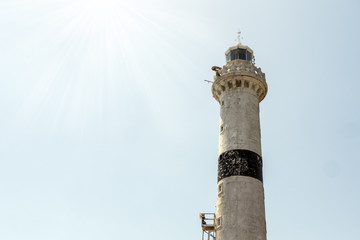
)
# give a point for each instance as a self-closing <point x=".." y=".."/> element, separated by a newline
<point x="240" y="209"/>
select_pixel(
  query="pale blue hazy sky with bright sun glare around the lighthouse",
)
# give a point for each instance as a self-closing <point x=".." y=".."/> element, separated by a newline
<point x="108" y="130"/>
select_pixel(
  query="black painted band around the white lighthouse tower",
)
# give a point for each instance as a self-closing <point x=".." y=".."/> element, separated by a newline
<point x="240" y="163"/>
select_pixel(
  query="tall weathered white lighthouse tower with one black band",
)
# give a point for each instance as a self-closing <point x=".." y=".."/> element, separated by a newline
<point x="239" y="87"/>
